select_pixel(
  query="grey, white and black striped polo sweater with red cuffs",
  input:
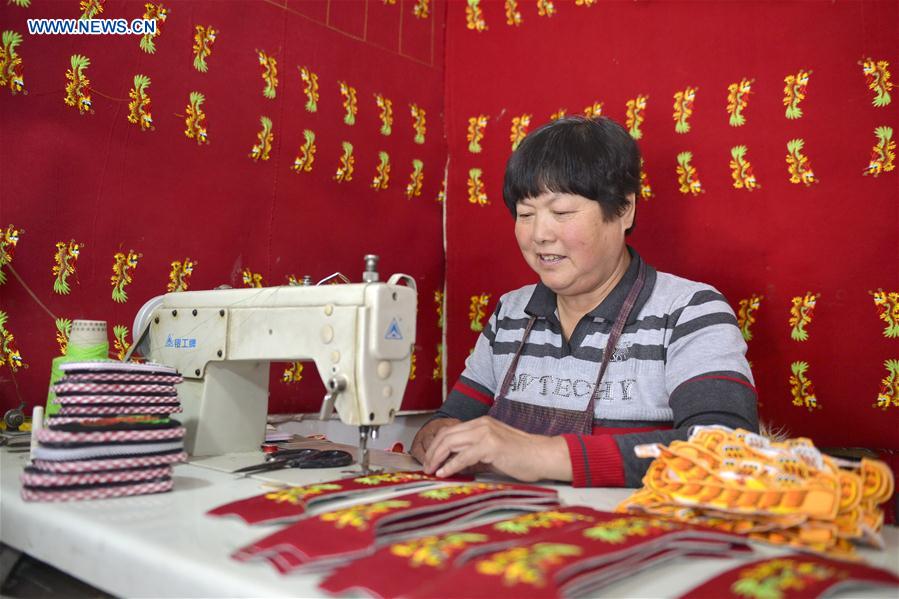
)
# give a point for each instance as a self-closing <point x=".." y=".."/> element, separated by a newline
<point x="679" y="362"/>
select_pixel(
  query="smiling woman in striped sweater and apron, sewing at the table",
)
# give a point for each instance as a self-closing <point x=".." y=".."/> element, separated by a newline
<point x="604" y="353"/>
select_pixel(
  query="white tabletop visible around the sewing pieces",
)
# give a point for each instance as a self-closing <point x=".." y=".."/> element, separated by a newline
<point x="164" y="546"/>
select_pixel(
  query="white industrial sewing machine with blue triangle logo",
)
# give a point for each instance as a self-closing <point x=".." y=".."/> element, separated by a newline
<point x="360" y="336"/>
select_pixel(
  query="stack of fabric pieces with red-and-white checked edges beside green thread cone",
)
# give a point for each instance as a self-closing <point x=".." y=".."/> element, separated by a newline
<point x="112" y="436"/>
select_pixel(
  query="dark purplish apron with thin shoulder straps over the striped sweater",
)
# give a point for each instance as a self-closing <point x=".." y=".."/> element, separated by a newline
<point x="542" y="420"/>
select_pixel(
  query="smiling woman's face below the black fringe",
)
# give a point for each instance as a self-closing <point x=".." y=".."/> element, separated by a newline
<point x="564" y="238"/>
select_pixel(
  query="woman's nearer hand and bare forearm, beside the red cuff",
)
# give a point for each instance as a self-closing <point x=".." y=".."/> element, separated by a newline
<point x="505" y="449"/>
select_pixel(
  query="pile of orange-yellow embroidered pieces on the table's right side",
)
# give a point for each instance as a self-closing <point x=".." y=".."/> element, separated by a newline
<point x="785" y="493"/>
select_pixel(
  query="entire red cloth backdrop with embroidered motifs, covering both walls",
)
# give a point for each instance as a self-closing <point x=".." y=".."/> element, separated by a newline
<point x="100" y="180"/>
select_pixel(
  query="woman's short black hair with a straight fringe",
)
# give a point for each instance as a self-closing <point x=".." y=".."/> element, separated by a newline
<point x="591" y="157"/>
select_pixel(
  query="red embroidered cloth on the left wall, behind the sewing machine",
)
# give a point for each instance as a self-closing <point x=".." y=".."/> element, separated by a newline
<point x="100" y="180"/>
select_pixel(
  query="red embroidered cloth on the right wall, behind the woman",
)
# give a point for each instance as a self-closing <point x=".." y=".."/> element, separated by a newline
<point x="838" y="237"/>
